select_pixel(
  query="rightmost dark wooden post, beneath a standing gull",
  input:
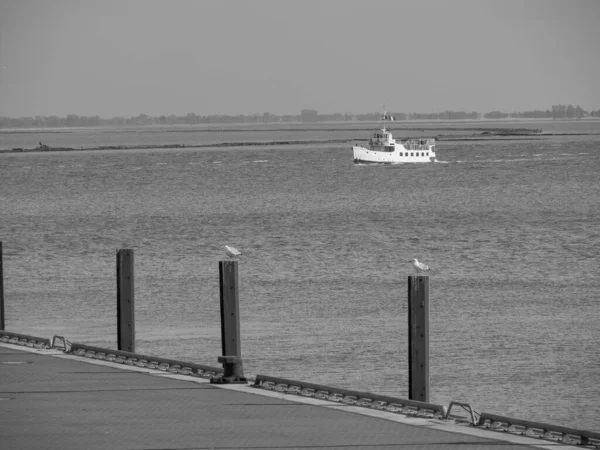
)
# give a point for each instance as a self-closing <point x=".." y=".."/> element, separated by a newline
<point x="418" y="338"/>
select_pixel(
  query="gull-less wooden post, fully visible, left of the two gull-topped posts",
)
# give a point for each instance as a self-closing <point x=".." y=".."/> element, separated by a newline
<point x="125" y="301"/>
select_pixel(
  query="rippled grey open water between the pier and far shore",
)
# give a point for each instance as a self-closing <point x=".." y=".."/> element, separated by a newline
<point x="511" y="229"/>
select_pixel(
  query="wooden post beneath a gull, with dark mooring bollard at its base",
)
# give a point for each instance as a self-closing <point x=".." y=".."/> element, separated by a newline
<point x="230" y="325"/>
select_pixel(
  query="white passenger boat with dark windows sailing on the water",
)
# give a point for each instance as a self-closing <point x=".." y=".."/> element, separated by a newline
<point x="384" y="149"/>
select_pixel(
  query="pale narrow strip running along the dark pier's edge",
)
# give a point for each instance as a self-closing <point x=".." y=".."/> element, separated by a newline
<point x="385" y="415"/>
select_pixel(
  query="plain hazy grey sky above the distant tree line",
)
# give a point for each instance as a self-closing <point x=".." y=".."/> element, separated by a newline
<point x="126" y="57"/>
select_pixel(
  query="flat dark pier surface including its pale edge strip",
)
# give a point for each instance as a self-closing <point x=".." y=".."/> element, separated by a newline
<point x="50" y="400"/>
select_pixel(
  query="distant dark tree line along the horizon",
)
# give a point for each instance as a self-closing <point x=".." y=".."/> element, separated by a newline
<point x="305" y="116"/>
